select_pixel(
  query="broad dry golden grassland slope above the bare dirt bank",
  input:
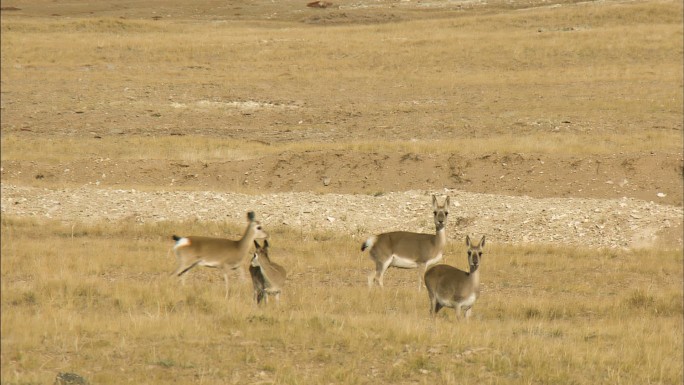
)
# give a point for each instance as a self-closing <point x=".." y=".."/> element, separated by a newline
<point x="573" y="81"/>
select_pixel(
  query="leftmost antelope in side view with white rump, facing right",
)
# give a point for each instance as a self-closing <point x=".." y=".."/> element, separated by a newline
<point x="224" y="254"/>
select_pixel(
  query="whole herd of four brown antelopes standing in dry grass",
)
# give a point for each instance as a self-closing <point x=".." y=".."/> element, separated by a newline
<point x="447" y="286"/>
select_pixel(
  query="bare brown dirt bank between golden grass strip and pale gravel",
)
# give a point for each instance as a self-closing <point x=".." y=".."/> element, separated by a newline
<point x="649" y="177"/>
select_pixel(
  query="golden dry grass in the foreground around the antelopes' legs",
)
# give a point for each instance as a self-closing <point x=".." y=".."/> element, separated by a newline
<point x="97" y="300"/>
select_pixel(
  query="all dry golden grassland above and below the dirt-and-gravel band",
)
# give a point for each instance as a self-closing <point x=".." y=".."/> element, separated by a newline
<point x="96" y="299"/>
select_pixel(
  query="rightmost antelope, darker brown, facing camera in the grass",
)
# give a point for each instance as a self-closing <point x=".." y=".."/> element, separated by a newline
<point x="450" y="287"/>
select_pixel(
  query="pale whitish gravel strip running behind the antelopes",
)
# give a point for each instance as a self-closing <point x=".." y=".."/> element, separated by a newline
<point x="623" y="223"/>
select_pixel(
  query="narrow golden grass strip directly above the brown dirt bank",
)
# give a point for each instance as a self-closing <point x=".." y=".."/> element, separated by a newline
<point x="197" y="148"/>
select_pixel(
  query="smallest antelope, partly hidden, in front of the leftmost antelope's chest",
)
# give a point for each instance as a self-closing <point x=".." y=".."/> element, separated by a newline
<point x="268" y="277"/>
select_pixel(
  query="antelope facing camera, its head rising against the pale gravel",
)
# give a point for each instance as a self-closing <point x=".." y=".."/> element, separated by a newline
<point x="407" y="250"/>
